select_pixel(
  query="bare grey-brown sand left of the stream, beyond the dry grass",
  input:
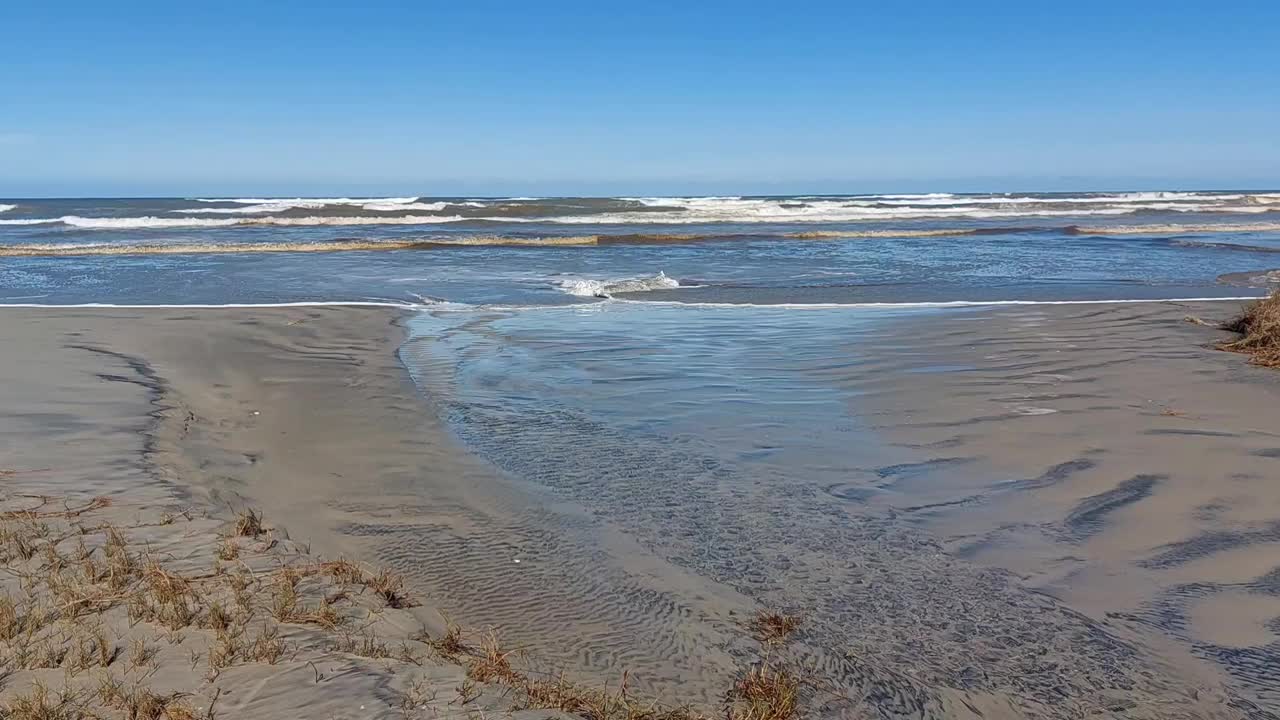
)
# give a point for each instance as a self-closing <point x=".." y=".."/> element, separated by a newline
<point x="307" y="416"/>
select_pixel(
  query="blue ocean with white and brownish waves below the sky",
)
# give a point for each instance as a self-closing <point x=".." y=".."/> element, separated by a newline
<point x="802" y="250"/>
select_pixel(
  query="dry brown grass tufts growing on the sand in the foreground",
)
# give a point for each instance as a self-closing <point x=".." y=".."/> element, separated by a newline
<point x="74" y="575"/>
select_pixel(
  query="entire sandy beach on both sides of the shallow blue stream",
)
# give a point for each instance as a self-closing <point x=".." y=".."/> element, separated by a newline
<point x="1104" y="535"/>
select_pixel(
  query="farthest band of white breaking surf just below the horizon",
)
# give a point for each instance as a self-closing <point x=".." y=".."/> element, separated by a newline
<point x="687" y="211"/>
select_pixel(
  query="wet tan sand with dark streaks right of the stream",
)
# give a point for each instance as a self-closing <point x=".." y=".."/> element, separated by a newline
<point x="1108" y="457"/>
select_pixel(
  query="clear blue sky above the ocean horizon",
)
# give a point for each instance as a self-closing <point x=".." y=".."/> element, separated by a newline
<point x="285" y="98"/>
